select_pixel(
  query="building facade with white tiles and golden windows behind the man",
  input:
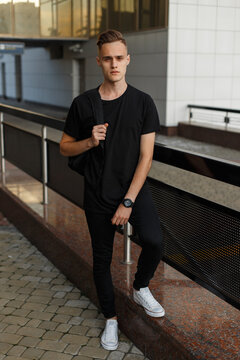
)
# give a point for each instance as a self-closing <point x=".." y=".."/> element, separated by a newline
<point x="182" y="51"/>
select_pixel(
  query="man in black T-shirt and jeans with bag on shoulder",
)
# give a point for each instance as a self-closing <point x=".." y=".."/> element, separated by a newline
<point x="119" y="192"/>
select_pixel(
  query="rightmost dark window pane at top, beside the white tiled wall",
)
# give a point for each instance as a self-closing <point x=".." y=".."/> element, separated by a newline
<point x="152" y="13"/>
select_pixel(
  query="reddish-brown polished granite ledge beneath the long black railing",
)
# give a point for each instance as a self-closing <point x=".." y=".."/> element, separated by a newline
<point x="197" y="325"/>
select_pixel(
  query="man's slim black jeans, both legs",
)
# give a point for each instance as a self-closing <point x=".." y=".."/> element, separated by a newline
<point x="146" y="222"/>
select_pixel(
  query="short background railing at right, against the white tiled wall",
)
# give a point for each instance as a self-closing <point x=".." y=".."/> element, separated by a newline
<point x="215" y="116"/>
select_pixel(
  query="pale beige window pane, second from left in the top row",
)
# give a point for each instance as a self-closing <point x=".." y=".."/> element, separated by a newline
<point x="26" y="14"/>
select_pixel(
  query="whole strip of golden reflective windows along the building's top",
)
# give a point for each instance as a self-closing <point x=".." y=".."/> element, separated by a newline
<point x="79" y="18"/>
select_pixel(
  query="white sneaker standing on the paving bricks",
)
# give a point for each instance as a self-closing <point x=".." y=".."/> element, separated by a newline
<point x="109" y="339"/>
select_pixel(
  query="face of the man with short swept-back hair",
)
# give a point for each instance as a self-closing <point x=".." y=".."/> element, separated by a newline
<point x="113" y="59"/>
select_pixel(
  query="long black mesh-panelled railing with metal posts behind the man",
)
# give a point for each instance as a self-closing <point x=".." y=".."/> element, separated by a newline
<point x="202" y="238"/>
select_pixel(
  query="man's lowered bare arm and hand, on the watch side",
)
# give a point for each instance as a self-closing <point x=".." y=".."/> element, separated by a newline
<point x="122" y="213"/>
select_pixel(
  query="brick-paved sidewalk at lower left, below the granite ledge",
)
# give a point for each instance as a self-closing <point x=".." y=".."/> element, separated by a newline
<point x="42" y="314"/>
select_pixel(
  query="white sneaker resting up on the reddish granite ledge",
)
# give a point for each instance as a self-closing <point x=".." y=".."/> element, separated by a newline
<point x="151" y="306"/>
